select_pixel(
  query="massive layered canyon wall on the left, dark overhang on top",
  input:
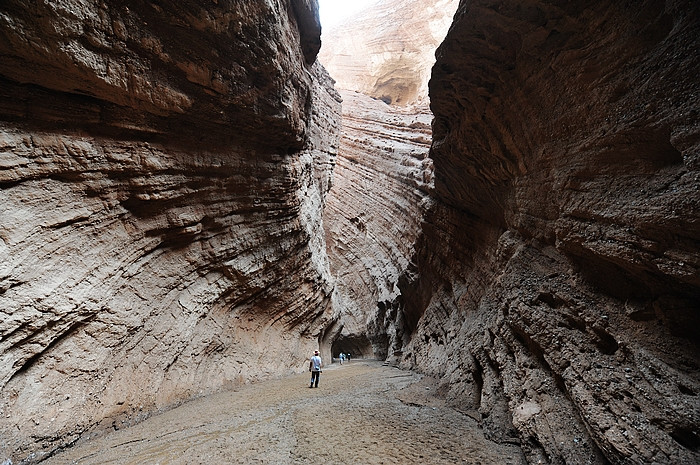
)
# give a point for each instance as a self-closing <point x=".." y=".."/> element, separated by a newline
<point x="162" y="173"/>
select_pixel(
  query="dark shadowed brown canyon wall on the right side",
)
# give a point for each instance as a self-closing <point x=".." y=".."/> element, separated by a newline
<point x="557" y="283"/>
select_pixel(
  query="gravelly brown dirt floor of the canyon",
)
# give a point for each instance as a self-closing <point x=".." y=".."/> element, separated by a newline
<point x="353" y="417"/>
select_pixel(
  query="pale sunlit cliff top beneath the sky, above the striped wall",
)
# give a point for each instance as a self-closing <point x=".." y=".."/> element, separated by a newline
<point x="387" y="50"/>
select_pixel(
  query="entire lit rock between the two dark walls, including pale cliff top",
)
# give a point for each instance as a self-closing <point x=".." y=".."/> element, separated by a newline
<point x="381" y="57"/>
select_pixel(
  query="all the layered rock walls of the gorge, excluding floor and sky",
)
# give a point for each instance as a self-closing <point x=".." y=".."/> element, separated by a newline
<point x="502" y="196"/>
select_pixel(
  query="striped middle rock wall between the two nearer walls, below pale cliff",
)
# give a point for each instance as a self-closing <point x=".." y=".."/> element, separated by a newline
<point x="373" y="216"/>
